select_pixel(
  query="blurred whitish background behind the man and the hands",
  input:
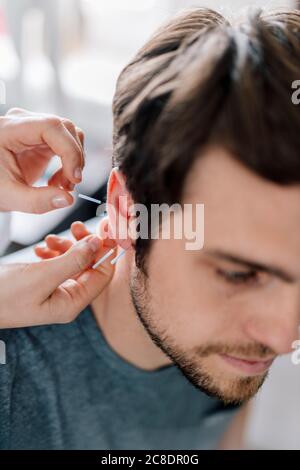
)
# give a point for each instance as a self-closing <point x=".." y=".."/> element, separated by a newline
<point x="63" y="57"/>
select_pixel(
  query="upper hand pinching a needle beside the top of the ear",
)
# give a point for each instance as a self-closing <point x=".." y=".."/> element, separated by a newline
<point x="44" y="135"/>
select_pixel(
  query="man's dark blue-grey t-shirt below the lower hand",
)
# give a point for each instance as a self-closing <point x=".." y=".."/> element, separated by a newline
<point x="64" y="387"/>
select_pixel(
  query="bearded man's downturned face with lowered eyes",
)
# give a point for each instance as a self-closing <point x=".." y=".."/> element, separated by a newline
<point x="225" y="312"/>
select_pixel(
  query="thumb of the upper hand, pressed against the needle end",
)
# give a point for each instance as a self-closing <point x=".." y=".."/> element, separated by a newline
<point x="38" y="200"/>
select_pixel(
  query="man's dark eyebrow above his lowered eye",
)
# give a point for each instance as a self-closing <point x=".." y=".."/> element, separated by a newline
<point x="275" y="271"/>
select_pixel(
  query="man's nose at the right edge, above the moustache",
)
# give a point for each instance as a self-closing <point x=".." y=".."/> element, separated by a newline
<point x="276" y="323"/>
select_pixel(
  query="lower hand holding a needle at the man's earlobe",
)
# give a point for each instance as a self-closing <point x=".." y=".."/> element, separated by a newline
<point x="48" y="293"/>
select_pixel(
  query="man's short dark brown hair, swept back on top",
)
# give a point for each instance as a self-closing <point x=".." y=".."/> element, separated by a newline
<point x="202" y="80"/>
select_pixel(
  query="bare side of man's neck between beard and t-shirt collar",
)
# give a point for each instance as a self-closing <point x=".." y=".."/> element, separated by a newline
<point x="120" y="325"/>
